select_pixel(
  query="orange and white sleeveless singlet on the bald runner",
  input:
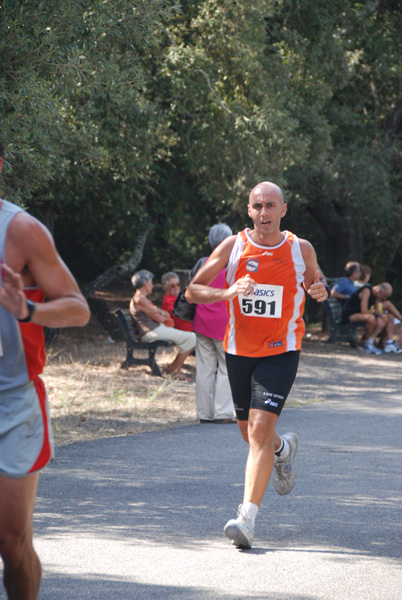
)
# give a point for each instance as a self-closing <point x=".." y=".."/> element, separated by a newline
<point x="269" y="321"/>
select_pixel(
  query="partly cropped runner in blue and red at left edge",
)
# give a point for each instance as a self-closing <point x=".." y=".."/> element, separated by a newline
<point x="30" y="270"/>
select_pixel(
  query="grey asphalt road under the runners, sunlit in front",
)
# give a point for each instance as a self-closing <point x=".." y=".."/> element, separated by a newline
<point x="142" y="516"/>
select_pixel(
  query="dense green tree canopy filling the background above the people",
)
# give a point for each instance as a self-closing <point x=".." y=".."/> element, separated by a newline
<point x="121" y="117"/>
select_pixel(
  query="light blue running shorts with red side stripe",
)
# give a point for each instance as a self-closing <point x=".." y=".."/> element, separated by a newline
<point x="26" y="443"/>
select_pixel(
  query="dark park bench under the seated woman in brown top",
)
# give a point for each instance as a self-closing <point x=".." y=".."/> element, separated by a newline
<point x="134" y="345"/>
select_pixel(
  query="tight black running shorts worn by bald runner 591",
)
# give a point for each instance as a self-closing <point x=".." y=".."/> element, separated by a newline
<point x="263" y="383"/>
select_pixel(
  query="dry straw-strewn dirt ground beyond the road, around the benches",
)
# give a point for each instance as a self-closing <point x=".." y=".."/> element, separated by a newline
<point x="91" y="396"/>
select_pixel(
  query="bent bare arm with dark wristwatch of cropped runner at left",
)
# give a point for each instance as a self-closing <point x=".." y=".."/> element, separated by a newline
<point x="32" y="260"/>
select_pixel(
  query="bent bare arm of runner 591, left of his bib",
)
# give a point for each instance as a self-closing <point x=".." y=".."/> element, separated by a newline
<point x="199" y="292"/>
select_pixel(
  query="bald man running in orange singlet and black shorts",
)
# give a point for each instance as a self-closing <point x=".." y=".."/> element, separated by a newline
<point x="268" y="271"/>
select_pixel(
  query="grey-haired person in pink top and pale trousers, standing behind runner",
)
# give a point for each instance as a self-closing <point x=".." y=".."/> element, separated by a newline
<point x="213" y="394"/>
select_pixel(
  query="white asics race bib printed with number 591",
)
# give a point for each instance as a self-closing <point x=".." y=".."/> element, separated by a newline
<point x="265" y="301"/>
